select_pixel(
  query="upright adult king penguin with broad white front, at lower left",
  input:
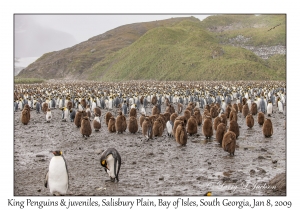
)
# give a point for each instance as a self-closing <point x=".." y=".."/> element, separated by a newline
<point x="57" y="177"/>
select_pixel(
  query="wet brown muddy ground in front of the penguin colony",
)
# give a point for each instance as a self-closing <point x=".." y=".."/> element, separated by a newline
<point x="155" y="167"/>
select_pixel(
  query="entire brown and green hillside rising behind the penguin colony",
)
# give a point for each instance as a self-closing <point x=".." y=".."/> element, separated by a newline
<point x="173" y="49"/>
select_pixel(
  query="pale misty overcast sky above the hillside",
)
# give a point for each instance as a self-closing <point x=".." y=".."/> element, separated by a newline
<point x="39" y="34"/>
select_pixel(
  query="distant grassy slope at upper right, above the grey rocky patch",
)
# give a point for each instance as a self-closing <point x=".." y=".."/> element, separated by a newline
<point x="252" y="26"/>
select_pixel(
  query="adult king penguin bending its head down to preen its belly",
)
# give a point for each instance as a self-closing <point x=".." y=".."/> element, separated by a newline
<point x="111" y="161"/>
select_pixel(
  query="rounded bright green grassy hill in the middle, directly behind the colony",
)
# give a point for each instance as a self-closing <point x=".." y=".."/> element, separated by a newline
<point x="181" y="52"/>
